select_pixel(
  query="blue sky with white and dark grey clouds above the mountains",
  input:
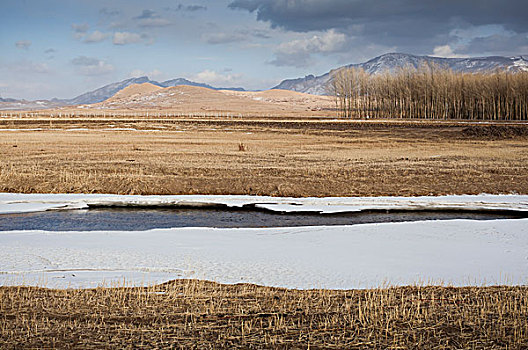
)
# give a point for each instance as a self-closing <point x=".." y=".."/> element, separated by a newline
<point x="62" y="48"/>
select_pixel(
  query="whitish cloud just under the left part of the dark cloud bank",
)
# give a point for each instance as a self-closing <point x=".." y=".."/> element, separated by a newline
<point x="298" y="52"/>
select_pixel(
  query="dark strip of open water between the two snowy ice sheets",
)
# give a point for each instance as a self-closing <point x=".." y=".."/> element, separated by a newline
<point x="143" y="218"/>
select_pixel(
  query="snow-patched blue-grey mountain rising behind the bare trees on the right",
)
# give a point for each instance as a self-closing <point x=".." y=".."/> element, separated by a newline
<point x="317" y="85"/>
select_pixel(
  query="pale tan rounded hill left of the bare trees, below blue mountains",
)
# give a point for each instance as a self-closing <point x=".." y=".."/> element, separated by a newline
<point x="147" y="100"/>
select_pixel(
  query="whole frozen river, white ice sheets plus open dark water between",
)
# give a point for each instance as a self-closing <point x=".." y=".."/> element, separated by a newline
<point x="359" y="247"/>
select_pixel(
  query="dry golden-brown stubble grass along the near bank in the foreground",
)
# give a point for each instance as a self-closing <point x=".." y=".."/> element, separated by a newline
<point x="204" y="315"/>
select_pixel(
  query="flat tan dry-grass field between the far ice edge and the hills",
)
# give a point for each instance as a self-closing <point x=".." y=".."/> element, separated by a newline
<point x="265" y="156"/>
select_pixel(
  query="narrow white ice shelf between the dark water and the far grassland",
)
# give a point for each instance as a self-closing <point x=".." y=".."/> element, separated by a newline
<point x="19" y="203"/>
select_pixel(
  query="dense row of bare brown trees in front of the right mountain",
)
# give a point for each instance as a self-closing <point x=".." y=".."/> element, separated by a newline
<point x="431" y="92"/>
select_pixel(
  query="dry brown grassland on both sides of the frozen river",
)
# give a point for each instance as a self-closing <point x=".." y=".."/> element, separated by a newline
<point x="263" y="156"/>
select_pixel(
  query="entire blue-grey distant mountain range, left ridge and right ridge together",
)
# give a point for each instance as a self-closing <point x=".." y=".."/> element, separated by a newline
<point x="315" y="85"/>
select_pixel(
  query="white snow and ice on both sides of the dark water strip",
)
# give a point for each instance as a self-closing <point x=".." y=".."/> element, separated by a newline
<point x="457" y="252"/>
